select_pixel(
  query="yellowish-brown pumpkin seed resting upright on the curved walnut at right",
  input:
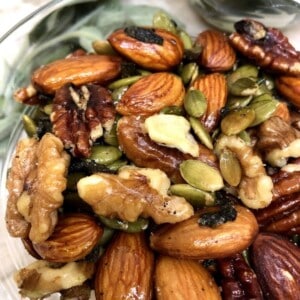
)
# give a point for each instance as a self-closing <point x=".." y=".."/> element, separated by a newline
<point x="230" y="168"/>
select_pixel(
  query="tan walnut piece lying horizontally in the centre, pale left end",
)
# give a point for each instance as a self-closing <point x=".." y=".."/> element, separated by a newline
<point x="132" y="193"/>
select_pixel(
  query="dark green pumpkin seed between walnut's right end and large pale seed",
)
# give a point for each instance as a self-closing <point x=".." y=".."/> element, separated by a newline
<point x="195" y="197"/>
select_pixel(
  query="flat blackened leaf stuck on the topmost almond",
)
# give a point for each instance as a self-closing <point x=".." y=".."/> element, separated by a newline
<point x="146" y="35"/>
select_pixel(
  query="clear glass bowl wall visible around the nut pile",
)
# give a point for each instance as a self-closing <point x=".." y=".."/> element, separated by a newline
<point x="49" y="33"/>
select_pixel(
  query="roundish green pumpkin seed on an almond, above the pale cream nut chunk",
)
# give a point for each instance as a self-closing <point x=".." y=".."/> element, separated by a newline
<point x="195" y="103"/>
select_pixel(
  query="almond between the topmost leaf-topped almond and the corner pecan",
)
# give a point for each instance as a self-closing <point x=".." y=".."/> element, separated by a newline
<point x="217" y="53"/>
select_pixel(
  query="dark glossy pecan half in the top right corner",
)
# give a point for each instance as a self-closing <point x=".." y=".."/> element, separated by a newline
<point x="268" y="47"/>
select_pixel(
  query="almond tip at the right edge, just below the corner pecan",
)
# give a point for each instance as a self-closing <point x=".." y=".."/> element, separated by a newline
<point x="289" y="87"/>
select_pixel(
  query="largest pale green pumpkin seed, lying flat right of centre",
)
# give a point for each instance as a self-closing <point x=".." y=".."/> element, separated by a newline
<point x="201" y="176"/>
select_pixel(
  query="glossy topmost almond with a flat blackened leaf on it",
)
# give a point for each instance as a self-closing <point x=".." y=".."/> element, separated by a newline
<point x="154" y="49"/>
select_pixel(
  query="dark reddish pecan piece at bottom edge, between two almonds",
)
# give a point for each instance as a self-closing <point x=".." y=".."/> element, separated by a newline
<point x="238" y="279"/>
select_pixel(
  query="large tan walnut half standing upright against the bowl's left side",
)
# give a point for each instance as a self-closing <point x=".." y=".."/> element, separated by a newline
<point x="35" y="185"/>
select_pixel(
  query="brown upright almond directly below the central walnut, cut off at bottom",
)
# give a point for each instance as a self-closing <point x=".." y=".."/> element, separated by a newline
<point x="125" y="269"/>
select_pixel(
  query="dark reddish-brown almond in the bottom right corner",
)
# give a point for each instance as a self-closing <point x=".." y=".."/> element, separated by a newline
<point x="276" y="263"/>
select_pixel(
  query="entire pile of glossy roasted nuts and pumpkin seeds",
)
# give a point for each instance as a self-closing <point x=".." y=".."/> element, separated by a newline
<point x="162" y="167"/>
